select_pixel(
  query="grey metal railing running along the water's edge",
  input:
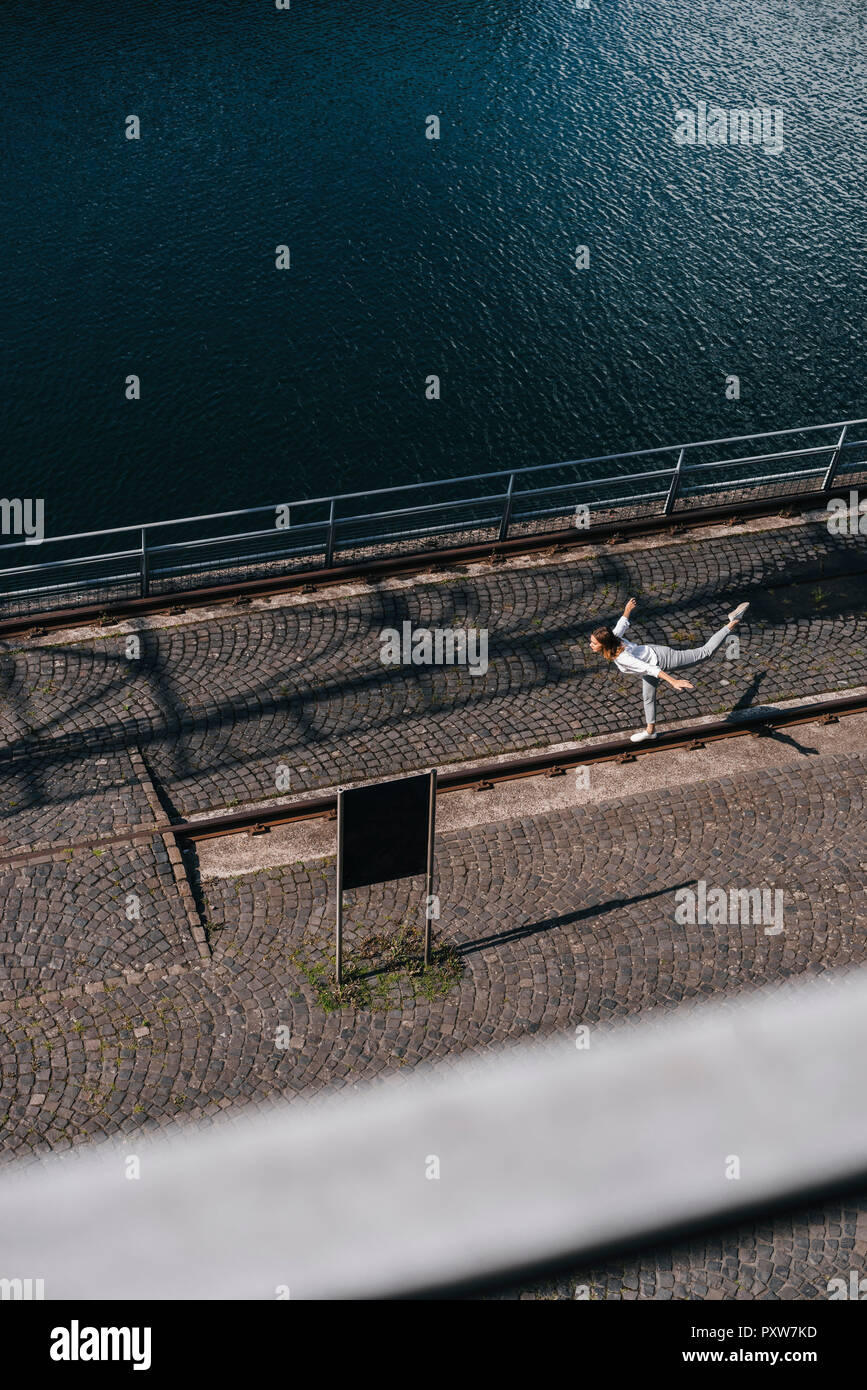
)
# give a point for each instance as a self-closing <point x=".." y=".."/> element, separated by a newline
<point x="324" y="533"/>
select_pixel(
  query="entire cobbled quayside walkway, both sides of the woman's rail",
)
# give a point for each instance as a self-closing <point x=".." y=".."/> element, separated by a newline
<point x="142" y="989"/>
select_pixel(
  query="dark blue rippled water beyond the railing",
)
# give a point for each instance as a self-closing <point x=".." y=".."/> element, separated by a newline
<point x="412" y="256"/>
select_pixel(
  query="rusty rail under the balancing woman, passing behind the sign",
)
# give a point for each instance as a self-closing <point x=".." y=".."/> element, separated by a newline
<point x="480" y="778"/>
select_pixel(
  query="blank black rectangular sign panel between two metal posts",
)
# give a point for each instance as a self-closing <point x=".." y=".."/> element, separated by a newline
<point x="386" y="831"/>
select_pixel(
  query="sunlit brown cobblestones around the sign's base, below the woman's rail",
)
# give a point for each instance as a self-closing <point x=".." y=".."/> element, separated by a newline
<point x="554" y="921"/>
